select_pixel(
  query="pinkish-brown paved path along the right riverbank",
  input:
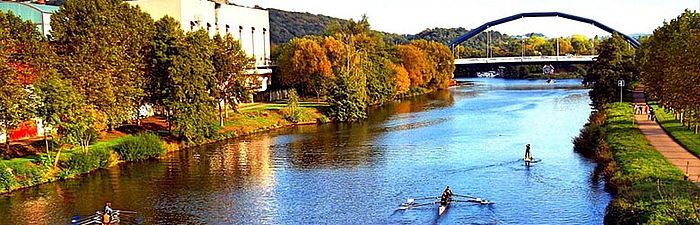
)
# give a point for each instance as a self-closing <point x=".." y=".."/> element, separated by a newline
<point x="662" y="142"/>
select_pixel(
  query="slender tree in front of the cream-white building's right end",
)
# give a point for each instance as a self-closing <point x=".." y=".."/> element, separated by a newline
<point x="230" y="63"/>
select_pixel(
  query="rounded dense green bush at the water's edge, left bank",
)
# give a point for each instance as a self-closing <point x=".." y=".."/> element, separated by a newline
<point x="140" y="147"/>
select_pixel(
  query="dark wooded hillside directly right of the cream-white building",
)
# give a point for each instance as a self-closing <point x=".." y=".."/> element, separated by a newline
<point x="285" y="25"/>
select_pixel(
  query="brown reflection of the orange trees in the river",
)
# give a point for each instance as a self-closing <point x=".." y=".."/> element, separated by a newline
<point x="348" y="145"/>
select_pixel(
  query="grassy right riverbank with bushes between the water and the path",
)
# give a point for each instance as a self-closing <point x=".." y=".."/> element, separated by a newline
<point x="646" y="187"/>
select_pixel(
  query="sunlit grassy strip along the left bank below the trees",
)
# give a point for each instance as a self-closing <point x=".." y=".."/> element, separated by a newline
<point x="36" y="169"/>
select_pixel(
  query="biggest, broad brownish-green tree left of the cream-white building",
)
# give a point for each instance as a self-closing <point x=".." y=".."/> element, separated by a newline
<point x="103" y="46"/>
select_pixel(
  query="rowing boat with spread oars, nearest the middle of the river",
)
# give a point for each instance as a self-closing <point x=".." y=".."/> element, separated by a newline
<point x="443" y="201"/>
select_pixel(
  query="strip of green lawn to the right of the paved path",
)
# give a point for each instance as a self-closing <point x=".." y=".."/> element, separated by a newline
<point x="687" y="138"/>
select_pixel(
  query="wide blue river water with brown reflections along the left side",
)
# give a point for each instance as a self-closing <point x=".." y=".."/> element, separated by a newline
<point x="470" y="138"/>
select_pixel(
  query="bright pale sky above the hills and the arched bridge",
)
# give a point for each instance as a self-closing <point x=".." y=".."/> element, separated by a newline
<point x="413" y="16"/>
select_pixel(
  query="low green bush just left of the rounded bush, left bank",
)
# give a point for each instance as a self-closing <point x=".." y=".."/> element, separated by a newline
<point x="80" y="163"/>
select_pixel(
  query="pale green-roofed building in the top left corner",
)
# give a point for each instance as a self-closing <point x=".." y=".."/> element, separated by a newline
<point x="38" y="14"/>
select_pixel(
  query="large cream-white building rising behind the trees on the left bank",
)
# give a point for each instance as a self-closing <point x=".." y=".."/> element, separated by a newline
<point x="251" y="26"/>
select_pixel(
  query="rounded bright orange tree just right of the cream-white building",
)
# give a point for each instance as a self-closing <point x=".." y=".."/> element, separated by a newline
<point x="304" y="64"/>
